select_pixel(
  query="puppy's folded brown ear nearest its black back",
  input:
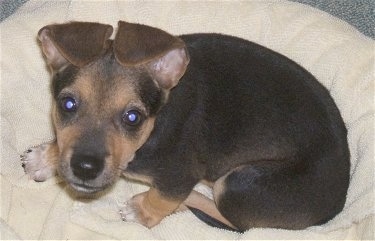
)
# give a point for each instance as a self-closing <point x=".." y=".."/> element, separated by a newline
<point x="164" y="55"/>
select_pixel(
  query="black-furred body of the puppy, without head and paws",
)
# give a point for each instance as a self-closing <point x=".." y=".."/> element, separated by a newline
<point x="240" y="105"/>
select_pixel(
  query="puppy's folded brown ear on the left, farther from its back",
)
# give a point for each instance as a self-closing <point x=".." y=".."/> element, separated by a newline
<point x="77" y="43"/>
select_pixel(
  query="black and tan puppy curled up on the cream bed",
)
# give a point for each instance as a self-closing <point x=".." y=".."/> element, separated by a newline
<point x="174" y="111"/>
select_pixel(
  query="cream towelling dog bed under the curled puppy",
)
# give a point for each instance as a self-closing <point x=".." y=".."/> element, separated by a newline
<point x="336" y="53"/>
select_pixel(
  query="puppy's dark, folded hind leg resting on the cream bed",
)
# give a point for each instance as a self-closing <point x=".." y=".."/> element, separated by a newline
<point x="270" y="194"/>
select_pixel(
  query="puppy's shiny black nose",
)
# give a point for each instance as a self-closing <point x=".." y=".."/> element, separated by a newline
<point x="86" y="167"/>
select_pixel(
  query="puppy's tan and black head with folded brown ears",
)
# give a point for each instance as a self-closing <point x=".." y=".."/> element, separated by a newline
<point x="107" y="94"/>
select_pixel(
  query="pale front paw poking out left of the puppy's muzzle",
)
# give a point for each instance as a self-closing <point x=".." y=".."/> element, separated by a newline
<point x="39" y="162"/>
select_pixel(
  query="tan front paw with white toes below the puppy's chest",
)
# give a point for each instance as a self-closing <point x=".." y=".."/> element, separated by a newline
<point x="136" y="211"/>
